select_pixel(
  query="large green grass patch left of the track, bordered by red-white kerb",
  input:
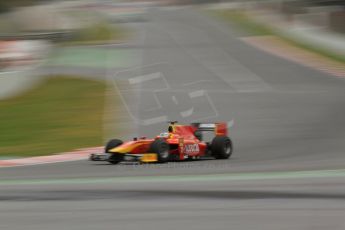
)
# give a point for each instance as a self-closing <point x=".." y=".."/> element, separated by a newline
<point x="61" y="114"/>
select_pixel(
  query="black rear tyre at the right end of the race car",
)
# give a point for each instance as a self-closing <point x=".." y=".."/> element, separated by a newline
<point x="221" y="147"/>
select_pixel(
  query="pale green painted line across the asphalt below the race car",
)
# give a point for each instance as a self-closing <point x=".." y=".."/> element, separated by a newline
<point x="190" y="178"/>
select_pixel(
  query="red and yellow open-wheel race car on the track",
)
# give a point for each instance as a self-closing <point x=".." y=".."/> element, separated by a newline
<point x="180" y="142"/>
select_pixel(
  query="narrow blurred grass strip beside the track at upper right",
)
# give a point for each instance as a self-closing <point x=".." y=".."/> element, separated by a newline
<point x="252" y="28"/>
